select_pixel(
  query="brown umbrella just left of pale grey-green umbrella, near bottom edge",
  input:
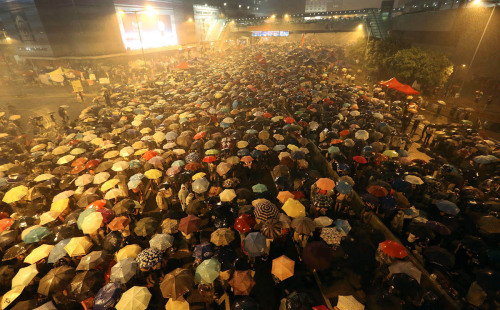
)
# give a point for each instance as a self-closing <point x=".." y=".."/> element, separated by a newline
<point x="177" y="283"/>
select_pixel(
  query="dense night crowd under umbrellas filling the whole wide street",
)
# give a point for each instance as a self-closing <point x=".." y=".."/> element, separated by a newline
<point x="250" y="179"/>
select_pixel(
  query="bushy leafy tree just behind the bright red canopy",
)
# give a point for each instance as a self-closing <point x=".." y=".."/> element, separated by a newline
<point x="430" y="69"/>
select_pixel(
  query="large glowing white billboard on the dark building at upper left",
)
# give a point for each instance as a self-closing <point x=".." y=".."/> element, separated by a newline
<point x="149" y="27"/>
